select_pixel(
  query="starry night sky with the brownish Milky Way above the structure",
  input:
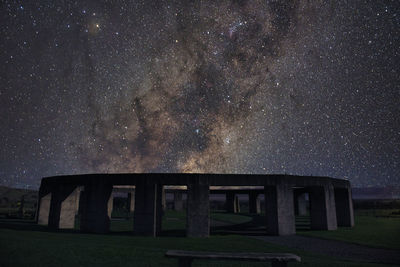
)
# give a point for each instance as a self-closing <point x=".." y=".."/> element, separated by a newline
<point x="295" y="87"/>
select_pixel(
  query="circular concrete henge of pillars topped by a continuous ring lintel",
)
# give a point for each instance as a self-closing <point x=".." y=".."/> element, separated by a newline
<point x="60" y="197"/>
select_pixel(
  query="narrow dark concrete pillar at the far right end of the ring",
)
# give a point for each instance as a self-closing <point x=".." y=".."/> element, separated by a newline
<point x="344" y="207"/>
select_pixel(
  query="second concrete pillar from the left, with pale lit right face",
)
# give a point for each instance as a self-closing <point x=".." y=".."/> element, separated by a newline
<point x="63" y="207"/>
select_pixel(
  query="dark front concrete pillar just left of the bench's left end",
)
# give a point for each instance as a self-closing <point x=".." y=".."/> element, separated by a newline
<point x="147" y="215"/>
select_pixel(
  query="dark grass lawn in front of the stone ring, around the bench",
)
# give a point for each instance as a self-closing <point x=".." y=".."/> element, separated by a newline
<point x="35" y="248"/>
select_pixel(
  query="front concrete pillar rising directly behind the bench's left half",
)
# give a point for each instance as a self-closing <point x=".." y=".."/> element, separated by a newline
<point x="198" y="208"/>
